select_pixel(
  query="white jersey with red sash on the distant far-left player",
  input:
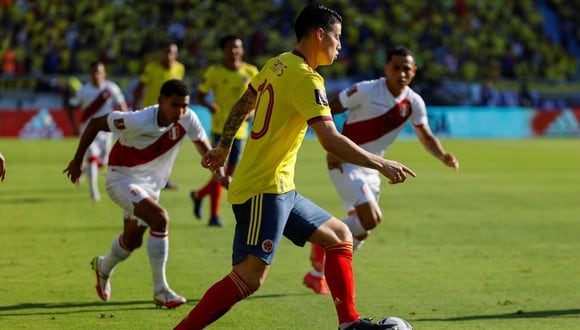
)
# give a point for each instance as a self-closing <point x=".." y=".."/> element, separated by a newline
<point x="97" y="101"/>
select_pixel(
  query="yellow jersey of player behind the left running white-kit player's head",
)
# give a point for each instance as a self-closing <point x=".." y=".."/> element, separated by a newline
<point x="153" y="77"/>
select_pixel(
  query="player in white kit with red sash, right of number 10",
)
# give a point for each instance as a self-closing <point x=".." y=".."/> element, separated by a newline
<point x="378" y="111"/>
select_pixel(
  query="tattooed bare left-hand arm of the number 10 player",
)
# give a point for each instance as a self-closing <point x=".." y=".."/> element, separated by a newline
<point x="216" y="157"/>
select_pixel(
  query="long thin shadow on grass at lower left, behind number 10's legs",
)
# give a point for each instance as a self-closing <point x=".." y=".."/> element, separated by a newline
<point x="37" y="308"/>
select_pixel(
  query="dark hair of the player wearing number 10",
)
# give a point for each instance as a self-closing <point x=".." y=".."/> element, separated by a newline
<point x="315" y="16"/>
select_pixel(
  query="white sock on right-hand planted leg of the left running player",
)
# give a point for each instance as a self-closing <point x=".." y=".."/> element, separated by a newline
<point x="158" y="250"/>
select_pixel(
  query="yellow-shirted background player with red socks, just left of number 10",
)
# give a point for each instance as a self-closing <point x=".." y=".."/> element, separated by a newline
<point x="228" y="81"/>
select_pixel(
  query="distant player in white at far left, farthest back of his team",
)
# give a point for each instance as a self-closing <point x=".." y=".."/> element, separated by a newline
<point x="98" y="97"/>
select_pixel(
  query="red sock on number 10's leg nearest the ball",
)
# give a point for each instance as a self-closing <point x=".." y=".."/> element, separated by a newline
<point x="340" y="279"/>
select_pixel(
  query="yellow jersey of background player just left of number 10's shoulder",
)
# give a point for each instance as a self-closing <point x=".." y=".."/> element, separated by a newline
<point x="227" y="86"/>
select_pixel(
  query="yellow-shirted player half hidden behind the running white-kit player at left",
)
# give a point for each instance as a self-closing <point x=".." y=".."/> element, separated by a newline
<point x="155" y="74"/>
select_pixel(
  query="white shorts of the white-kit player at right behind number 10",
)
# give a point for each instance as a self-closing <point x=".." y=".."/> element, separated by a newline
<point x="356" y="185"/>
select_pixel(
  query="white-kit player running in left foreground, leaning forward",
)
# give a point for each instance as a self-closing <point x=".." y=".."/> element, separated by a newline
<point x="139" y="165"/>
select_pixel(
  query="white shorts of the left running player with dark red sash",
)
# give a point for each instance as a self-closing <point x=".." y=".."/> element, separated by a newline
<point x="125" y="191"/>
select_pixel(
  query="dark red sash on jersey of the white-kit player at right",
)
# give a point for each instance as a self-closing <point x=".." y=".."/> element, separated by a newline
<point x="371" y="129"/>
